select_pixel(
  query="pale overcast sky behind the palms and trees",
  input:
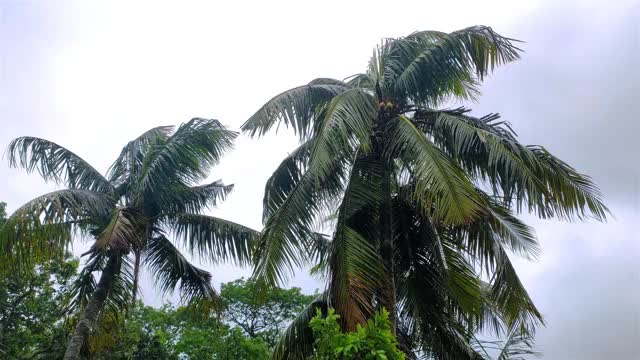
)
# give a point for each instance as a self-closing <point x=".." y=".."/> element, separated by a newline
<point x="92" y="76"/>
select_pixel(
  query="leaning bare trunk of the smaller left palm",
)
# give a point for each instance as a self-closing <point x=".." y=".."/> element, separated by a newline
<point x="90" y="313"/>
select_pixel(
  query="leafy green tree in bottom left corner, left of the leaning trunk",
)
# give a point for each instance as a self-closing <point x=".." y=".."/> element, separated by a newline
<point x="31" y="318"/>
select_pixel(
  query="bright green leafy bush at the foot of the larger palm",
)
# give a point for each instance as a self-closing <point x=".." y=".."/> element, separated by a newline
<point x="374" y="340"/>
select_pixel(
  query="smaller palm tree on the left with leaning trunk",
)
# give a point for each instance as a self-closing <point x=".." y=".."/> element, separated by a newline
<point x="148" y="194"/>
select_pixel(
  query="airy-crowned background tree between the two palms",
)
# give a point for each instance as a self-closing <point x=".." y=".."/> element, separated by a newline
<point x="261" y="315"/>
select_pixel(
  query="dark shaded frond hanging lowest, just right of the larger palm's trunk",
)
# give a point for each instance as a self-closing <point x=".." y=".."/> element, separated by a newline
<point x="430" y="268"/>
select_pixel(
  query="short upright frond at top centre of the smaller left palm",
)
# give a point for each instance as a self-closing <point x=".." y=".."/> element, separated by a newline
<point x="129" y="163"/>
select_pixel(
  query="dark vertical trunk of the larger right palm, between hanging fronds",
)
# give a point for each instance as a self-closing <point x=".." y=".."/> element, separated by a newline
<point x="386" y="248"/>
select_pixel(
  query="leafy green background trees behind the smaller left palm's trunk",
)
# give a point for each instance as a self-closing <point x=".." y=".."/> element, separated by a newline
<point x="35" y="322"/>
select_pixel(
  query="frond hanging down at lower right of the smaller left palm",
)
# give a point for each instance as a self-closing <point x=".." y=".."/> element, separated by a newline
<point x="171" y="268"/>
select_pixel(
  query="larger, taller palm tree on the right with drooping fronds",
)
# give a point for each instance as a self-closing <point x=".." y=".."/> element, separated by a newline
<point x="422" y="201"/>
